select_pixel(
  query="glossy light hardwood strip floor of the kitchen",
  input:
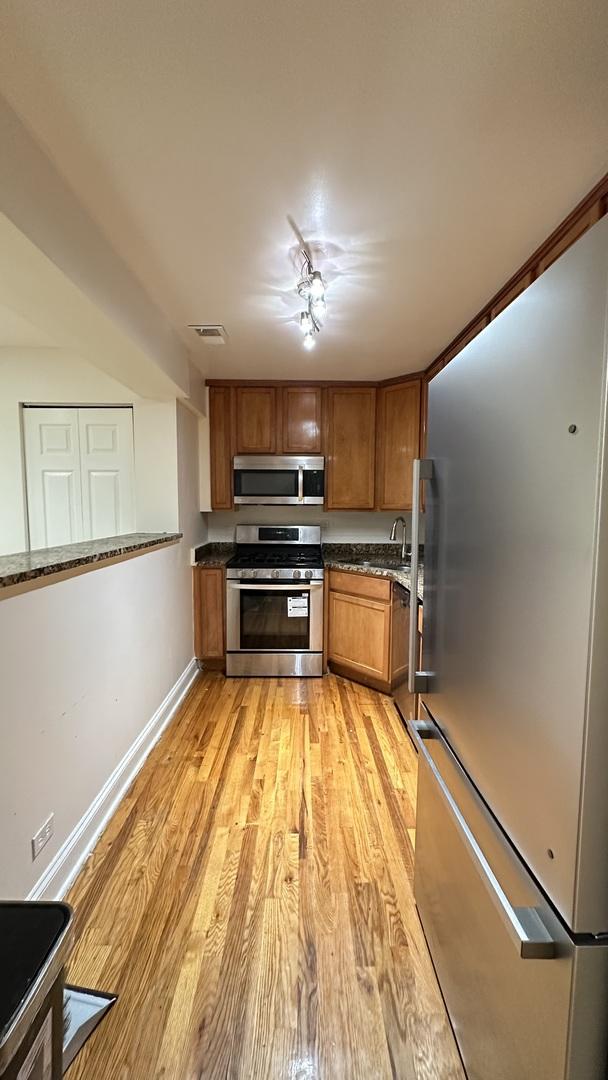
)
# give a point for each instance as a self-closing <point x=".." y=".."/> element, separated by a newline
<point x="251" y="901"/>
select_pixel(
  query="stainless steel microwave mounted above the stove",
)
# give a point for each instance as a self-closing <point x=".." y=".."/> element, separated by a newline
<point x="276" y="481"/>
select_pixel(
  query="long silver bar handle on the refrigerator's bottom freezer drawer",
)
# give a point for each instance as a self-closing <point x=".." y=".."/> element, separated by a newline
<point x="525" y="926"/>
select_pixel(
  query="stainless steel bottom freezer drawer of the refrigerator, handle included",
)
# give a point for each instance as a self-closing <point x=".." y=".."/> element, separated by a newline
<point x="525" y="1002"/>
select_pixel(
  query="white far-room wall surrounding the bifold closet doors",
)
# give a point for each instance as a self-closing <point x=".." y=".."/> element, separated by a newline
<point x="55" y="376"/>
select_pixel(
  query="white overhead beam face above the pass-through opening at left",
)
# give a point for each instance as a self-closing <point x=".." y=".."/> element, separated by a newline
<point x="92" y="288"/>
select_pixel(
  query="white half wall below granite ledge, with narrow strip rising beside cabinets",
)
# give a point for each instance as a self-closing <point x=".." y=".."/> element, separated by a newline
<point x="85" y="665"/>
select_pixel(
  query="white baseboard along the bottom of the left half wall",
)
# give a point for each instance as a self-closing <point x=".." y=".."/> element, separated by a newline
<point x="63" y="870"/>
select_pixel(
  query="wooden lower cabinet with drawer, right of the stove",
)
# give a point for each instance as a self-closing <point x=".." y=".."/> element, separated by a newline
<point x="369" y="629"/>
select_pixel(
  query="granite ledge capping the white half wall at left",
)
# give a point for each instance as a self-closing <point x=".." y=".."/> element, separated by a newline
<point x="28" y="565"/>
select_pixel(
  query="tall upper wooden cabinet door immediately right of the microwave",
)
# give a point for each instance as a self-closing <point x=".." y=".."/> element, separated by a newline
<point x="350" y="436"/>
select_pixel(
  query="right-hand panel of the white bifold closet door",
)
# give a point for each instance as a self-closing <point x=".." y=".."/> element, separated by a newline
<point x="109" y="485"/>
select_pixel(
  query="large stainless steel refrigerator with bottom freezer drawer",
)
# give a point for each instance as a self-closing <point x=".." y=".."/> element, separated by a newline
<point x="512" y="844"/>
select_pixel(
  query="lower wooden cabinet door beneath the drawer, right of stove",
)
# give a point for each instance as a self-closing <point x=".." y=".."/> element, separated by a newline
<point x="360" y="636"/>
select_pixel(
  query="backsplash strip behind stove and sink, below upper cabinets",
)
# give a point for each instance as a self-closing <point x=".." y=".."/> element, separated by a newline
<point x="348" y="528"/>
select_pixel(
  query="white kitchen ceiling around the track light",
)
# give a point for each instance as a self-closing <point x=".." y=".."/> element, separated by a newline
<point x="424" y="148"/>
